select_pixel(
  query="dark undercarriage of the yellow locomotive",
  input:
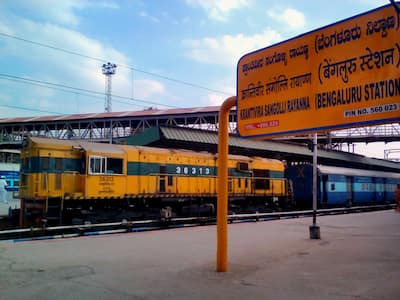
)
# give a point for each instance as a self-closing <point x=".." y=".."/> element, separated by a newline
<point x="56" y="211"/>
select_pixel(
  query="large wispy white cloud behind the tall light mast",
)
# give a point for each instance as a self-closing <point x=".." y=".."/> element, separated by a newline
<point x="41" y="63"/>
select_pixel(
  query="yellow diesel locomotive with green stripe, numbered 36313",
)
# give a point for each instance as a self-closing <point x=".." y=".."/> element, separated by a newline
<point x="61" y="180"/>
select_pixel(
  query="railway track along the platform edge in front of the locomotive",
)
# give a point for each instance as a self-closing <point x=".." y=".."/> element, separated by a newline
<point x="56" y="232"/>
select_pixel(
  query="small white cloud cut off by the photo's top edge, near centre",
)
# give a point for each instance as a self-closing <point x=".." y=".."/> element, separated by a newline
<point x="218" y="10"/>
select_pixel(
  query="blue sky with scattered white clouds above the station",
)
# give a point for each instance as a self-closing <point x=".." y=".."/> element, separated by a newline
<point x="169" y="53"/>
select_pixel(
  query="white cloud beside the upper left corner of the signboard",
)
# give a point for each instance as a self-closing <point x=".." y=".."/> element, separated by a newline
<point x="227" y="50"/>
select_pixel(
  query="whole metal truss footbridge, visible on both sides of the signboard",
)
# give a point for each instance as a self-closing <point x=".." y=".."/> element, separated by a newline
<point x="110" y="128"/>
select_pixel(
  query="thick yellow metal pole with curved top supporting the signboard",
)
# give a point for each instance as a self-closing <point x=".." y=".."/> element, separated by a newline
<point x="222" y="204"/>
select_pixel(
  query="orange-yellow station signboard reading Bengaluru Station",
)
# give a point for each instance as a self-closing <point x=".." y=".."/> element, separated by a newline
<point x="343" y="75"/>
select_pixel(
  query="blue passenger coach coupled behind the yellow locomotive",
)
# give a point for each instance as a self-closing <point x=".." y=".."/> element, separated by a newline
<point x="342" y="186"/>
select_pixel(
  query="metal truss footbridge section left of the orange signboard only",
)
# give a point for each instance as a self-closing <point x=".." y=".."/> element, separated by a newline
<point x="108" y="129"/>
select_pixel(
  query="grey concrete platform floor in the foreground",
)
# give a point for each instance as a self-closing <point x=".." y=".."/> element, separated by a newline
<point x="358" y="257"/>
